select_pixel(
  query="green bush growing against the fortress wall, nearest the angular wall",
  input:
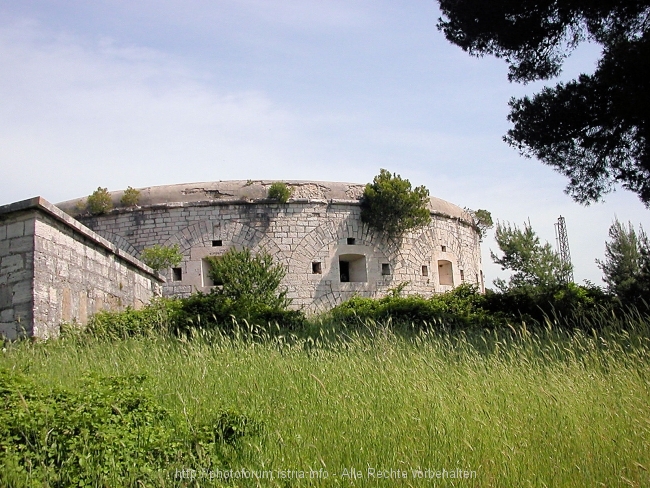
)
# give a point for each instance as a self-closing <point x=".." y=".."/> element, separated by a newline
<point x="250" y="280"/>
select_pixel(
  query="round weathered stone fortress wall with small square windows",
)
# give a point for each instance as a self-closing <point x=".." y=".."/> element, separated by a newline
<point x="318" y="236"/>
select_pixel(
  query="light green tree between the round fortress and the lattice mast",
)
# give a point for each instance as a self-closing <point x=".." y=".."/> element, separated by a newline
<point x="533" y="264"/>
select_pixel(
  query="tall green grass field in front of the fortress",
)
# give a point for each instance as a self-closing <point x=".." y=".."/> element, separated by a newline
<point x="376" y="407"/>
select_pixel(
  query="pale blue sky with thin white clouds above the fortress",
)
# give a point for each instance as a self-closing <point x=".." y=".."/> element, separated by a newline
<point x="116" y="94"/>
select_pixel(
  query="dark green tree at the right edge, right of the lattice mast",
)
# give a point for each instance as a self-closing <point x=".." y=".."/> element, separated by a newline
<point x="626" y="267"/>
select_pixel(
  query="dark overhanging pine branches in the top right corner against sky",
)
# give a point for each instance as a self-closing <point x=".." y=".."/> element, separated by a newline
<point x="594" y="130"/>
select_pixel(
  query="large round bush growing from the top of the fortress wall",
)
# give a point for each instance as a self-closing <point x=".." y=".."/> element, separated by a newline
<point x="391" y="206"/>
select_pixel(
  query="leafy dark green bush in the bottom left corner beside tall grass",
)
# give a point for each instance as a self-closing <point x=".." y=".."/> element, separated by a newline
<point x="110" y="432"/>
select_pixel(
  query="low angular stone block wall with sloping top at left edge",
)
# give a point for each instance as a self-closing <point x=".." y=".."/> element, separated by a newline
<point x="53" y="270"/>
